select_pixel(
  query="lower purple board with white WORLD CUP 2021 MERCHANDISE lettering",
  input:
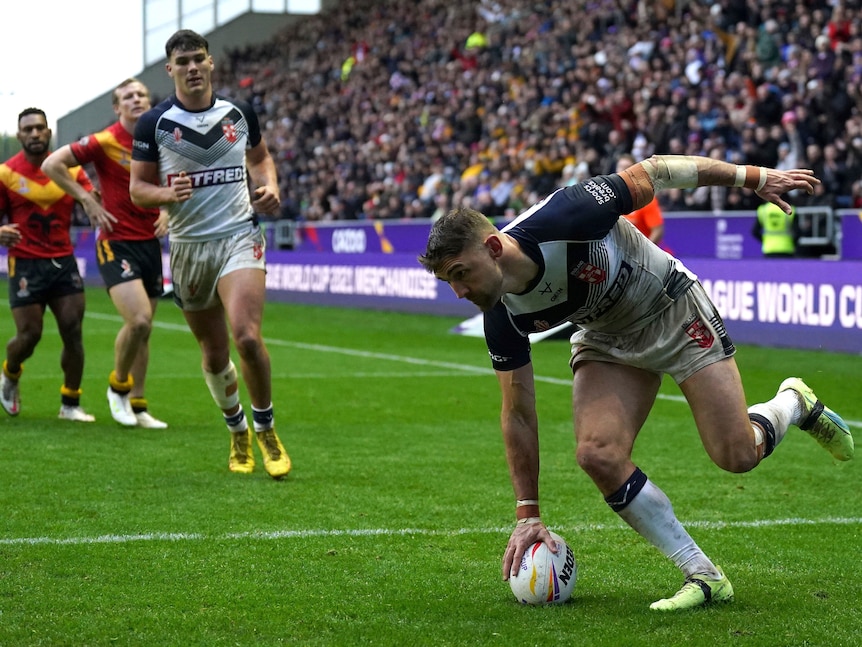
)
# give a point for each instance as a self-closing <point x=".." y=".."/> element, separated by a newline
<point x="809" y="304"/>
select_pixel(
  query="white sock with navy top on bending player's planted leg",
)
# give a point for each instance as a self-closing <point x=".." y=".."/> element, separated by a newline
<point x="649" y="512"/>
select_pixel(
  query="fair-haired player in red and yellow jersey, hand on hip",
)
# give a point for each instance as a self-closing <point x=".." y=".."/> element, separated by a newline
<point x="127" y="246"/>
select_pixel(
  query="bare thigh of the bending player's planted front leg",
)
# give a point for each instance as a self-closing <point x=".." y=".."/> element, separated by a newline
<point x="610" y="403"/>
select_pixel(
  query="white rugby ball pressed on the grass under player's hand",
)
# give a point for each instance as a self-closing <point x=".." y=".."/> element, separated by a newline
<point x="543" y="577"/>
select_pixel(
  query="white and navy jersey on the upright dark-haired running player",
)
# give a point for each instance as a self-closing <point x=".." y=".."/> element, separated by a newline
<point x="209" y="146"/>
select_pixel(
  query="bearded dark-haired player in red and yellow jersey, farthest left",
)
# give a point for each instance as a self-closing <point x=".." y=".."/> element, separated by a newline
<point x="42" y="267"/>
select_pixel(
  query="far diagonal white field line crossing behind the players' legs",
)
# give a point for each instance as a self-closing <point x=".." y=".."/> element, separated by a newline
<point x="417" y="361"/>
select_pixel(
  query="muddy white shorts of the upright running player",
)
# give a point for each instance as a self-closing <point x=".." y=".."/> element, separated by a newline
<point x="196" y="267"/>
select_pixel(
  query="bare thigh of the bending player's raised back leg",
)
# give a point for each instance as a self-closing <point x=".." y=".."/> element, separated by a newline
<point x="717" y="402"/>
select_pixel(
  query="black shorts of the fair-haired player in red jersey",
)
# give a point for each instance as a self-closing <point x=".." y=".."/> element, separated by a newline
<point x="121" y="261"/>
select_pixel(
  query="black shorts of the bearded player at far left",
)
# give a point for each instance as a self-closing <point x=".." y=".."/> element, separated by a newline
<point x="38" y="280"/>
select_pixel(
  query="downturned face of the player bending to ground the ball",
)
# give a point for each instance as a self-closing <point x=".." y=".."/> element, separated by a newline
<point x="474" y="275"/>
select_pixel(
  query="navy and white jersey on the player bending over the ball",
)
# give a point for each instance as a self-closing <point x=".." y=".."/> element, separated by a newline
<point x="596" y="270"/>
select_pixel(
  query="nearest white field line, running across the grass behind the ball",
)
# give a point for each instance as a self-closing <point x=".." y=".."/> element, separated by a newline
<point x="394" y="532"/>
